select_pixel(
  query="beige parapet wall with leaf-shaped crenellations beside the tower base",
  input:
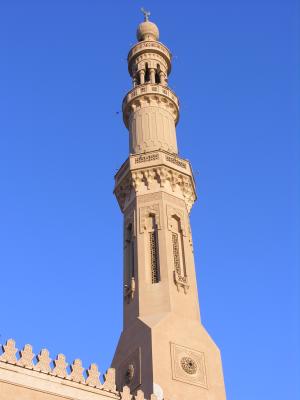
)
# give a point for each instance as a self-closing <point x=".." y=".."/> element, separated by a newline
<point x="24" y="375"/>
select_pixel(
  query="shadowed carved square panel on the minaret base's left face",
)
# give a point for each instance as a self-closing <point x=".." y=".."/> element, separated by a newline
<point x="129" y="372"/>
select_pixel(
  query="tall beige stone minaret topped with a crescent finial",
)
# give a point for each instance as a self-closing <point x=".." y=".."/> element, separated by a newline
<point x="164" y="348"/>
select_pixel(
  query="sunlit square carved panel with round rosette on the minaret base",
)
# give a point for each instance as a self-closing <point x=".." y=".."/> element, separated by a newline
<point x="188" y="365"/>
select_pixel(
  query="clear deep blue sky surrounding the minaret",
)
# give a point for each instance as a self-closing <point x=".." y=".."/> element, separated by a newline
<point x="63" y="75"/>
